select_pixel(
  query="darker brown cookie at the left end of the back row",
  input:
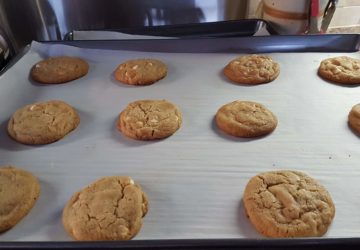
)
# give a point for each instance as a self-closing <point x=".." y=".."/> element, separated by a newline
<point x="59" y="69"/>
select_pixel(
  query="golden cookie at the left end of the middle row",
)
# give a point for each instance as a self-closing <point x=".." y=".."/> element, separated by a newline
<point x="42" y="122"/>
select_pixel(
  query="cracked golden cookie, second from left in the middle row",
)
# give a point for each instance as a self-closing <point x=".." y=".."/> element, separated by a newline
<point x="149" y="119"/>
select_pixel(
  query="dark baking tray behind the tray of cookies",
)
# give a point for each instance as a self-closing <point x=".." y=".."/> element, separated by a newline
<point x="232" y="28"/>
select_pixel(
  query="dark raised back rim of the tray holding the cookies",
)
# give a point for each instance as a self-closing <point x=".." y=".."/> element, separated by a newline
<point x="258" y="44"/>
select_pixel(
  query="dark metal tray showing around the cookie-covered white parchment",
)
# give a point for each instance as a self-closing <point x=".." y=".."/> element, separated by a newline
<point x="313" y="43"/>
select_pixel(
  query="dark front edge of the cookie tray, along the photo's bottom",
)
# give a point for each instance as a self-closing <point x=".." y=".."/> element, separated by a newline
<point x="229" y="244"/>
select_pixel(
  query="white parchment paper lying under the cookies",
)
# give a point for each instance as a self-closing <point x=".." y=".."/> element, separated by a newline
<point x="195" y="178"/>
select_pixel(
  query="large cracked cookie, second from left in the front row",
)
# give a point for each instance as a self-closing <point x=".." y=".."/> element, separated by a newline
<point x="110" y="208"/>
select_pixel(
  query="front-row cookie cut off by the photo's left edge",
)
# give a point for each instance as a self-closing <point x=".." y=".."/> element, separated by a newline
<point x="19" y="191"/>
